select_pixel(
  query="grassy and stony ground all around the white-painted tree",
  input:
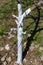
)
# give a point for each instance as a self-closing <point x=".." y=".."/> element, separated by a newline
<point x="32" y="41"/>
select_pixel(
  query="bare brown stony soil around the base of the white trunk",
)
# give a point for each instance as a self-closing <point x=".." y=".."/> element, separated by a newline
<point x="30" y="58"/>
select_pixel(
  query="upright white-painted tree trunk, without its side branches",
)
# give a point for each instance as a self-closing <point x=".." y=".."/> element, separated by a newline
<point x="19" y="34"/>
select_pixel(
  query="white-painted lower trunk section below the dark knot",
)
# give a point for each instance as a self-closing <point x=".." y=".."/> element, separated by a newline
<point x="19" y="44"/>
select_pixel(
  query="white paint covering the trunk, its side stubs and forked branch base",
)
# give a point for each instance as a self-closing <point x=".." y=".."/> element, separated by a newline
<point x="19" y="22"/>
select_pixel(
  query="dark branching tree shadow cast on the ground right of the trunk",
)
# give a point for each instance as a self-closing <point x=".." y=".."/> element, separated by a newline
<point x="29" y="39"/>
